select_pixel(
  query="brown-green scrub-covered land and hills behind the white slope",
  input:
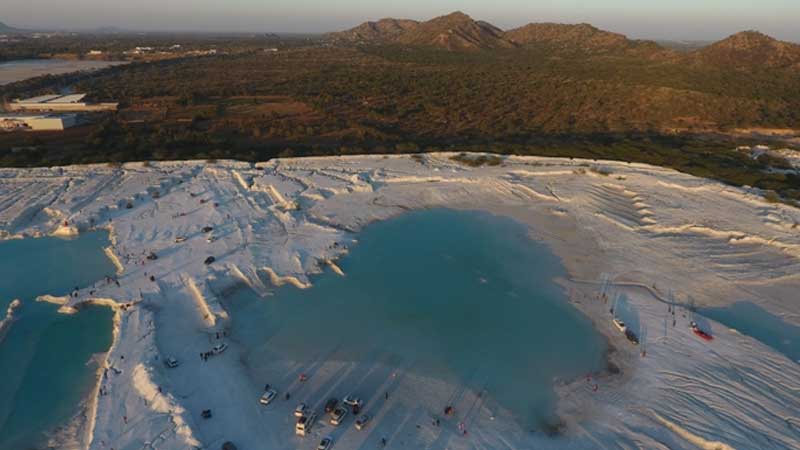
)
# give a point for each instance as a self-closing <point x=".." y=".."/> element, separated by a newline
<point x="575" y="92"/>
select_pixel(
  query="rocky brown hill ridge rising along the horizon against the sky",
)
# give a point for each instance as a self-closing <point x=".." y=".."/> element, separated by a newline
<point x="459" y="32"/>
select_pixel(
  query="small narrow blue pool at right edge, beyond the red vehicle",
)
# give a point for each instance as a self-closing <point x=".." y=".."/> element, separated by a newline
<point x="754" y="321"/>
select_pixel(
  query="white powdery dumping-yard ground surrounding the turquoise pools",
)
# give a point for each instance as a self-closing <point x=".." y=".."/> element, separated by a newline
<point x="649" y="231"/>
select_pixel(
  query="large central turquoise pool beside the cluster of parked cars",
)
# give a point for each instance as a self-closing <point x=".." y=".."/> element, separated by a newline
<point x="466" y="297"/>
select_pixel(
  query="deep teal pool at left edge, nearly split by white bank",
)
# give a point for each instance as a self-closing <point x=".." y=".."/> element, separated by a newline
<point x="45" y="357"/>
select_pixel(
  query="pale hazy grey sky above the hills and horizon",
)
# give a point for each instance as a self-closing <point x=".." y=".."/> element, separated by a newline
<point x="673" y="19"/>
